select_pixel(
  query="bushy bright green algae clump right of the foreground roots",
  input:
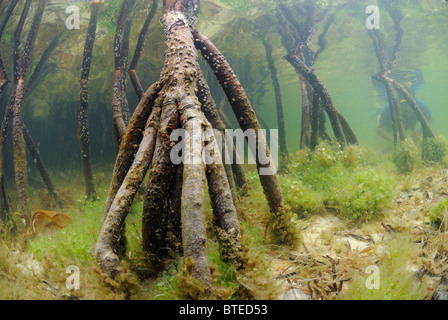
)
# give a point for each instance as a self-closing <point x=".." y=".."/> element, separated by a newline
<point x="343" y="181"/>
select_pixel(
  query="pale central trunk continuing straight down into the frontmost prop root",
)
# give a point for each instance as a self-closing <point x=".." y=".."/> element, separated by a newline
<point x="180" y="45"/>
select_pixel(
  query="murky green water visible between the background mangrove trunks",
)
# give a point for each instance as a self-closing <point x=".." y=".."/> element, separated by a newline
<point x="345" y="67"/>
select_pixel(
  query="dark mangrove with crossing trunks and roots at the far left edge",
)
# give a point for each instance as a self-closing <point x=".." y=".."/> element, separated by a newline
<point x="21" y="136"/>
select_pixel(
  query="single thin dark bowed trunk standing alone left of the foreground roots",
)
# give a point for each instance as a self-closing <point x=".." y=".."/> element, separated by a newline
<point x="83" y="116"/>
